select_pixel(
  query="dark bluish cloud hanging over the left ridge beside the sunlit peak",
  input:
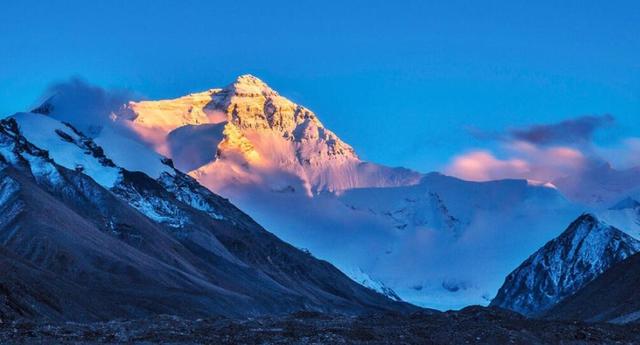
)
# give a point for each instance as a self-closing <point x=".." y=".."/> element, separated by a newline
<point x="88" y="107"/>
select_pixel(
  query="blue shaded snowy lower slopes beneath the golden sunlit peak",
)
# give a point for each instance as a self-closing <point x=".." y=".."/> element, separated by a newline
<point x="443" y="243"/>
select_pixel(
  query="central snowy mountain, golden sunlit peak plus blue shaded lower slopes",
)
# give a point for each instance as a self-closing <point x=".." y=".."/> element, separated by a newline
<point x="455" y="240"/>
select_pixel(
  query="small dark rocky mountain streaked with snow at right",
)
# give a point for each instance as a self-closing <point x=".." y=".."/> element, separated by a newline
<point x="586" y="249"/>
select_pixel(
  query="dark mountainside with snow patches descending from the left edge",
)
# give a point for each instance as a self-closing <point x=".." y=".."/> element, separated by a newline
<point x="79" y="222"/>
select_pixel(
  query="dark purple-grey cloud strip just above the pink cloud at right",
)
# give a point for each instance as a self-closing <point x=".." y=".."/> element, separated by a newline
<point x="576" y="131"/>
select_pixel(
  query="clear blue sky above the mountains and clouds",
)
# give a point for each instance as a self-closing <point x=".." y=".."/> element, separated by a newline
<point x="399" y="80"/>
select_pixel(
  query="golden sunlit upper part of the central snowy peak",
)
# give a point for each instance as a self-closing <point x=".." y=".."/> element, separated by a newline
<point x="248" y="133"/>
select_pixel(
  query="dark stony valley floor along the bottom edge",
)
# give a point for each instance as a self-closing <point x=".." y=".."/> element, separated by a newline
<point x="474" y="325"/>
